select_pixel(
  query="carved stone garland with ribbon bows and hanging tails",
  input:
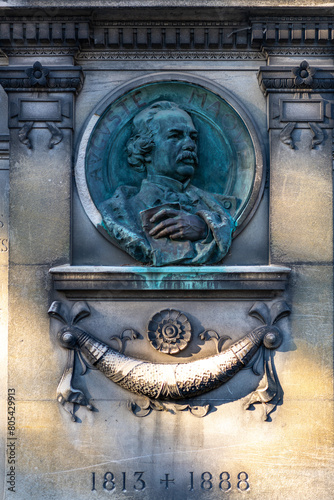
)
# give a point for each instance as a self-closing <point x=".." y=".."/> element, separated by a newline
<point x="165" y="382"/>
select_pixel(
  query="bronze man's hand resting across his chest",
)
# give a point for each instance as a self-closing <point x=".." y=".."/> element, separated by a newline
<point x="178" y="225"/>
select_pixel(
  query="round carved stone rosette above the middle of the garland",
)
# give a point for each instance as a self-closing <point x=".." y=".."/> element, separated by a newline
<point x="169" y="331"/>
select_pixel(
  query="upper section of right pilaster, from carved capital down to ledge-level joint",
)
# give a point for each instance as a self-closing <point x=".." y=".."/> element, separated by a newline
<point x="300" y="121"/>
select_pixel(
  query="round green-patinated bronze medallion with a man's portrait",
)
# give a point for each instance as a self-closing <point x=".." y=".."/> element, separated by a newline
<point x="170" y="169"/>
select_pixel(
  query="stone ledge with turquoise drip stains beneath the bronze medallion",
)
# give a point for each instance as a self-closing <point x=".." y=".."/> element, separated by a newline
<point x="104" y="282"/>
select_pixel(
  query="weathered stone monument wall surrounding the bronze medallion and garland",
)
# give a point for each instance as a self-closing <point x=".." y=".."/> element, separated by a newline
<point x="255" y="53"/>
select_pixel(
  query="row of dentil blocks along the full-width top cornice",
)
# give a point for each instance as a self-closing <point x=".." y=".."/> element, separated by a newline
<point x="64" y="31"/>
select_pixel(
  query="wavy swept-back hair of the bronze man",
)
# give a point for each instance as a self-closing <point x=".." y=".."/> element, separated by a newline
<point x="144" y="127"/>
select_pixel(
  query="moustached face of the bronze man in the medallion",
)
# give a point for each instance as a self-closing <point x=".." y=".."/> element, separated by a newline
<point x="174" y="154"/>
